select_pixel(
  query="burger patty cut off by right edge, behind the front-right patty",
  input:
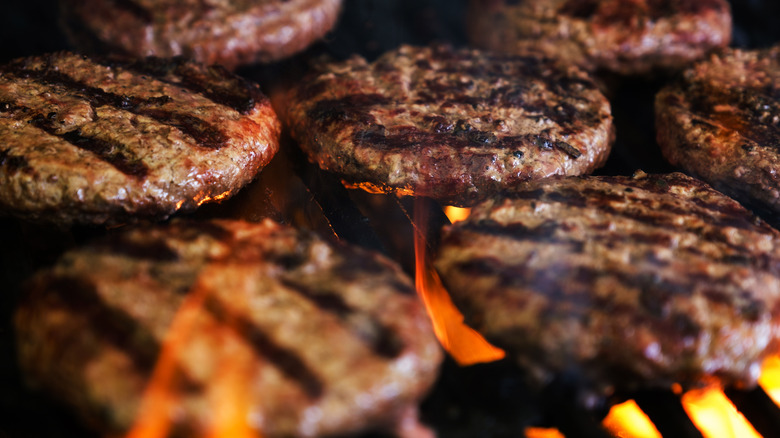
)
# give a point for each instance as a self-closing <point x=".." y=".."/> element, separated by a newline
<point x="721" y="122"/>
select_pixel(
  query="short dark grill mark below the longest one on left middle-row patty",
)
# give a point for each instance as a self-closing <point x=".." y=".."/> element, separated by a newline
<point x="111" y="152"/>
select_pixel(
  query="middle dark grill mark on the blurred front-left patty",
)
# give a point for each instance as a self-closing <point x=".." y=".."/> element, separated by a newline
<point x="283" y="359"/>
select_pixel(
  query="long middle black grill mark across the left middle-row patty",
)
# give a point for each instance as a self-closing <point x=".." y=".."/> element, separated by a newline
<point x="202" y="132"/>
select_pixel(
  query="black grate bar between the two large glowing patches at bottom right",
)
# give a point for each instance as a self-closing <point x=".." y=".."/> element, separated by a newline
<point x="667" y="413"/>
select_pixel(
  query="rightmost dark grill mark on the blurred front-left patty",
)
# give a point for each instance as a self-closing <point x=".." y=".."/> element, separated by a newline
<point x="376" y="335"/>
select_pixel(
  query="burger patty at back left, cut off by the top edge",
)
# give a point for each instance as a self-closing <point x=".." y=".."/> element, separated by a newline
<point x="230" y="33"/>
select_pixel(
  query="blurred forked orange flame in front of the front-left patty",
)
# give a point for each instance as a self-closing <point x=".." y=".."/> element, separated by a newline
<point x="228" y="396"/>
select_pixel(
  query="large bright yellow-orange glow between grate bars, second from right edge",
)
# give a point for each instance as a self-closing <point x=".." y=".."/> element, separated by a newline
<point x="715" y="416"/>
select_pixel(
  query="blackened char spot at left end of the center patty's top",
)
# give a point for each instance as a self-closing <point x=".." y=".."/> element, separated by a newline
<point x="353" y="109"/>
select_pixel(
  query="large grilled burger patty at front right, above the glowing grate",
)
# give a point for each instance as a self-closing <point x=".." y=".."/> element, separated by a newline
<point x="630" y="282"/>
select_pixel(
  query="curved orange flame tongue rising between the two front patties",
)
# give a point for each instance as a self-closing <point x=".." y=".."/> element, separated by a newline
<point x="463" y="343"/>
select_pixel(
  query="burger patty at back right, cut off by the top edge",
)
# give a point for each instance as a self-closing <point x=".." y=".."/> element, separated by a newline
<point x="628" y="37"/>
